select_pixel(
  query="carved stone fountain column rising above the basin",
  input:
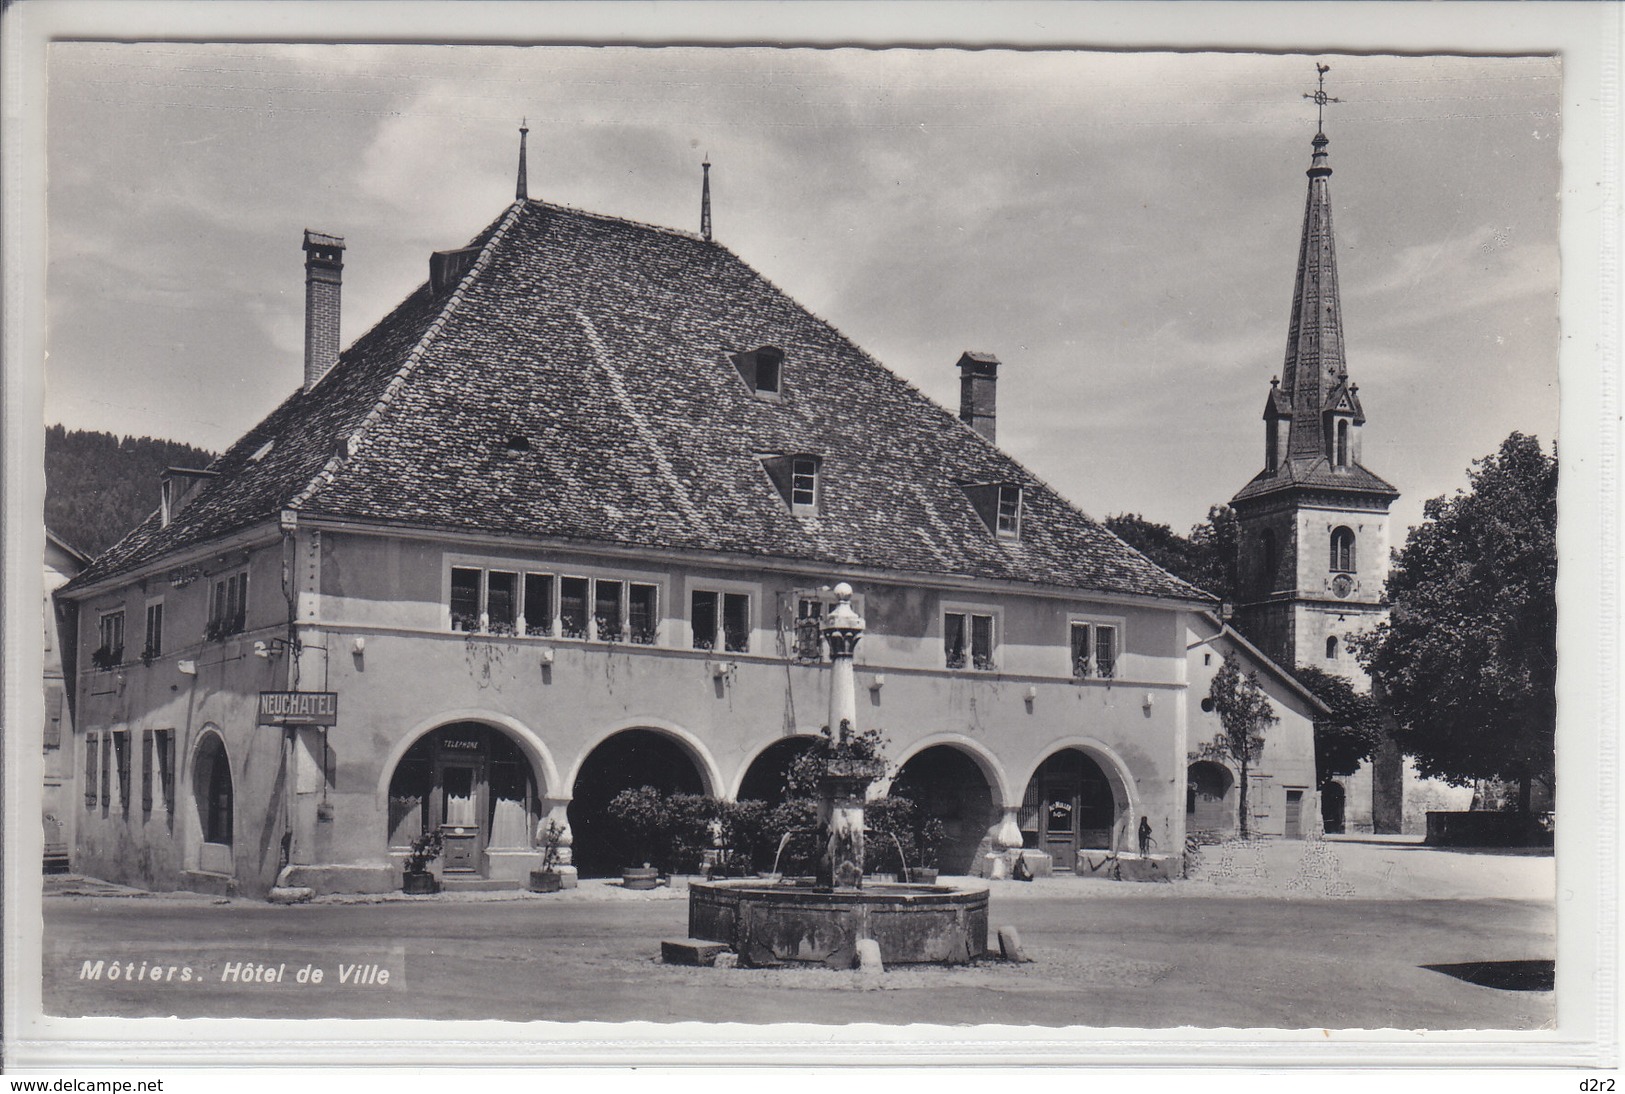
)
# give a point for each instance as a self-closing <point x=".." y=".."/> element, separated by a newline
<point x="846" y="779"/>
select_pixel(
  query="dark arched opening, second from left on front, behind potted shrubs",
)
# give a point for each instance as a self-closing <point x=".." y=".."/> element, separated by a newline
<point x="625" y="762"/>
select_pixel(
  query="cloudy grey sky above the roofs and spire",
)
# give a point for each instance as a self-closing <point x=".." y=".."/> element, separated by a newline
<point x="1120" y="230"/>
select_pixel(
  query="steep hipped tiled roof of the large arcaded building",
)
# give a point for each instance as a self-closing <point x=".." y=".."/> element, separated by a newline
<point x="607" y="345"/>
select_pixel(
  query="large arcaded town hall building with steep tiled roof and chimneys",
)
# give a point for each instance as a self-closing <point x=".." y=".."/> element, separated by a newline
<point x="565" y="523"/>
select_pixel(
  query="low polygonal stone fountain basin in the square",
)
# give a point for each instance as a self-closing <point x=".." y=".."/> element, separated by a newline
<point x="782" y="923"/>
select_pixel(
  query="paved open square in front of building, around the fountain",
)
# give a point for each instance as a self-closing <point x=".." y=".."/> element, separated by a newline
<point x="1252" y="942"/>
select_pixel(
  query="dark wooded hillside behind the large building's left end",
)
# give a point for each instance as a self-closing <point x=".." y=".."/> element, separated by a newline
<point x="98" y="487"/>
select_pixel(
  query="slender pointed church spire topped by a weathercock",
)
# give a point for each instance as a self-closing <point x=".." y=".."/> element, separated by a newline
<point x="1315" y="363"/>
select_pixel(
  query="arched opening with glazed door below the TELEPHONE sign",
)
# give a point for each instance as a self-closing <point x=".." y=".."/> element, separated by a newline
<point x="470" y="783"/>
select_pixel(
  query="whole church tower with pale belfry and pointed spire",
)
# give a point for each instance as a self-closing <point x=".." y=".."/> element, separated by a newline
<point x="1314" y="524"/>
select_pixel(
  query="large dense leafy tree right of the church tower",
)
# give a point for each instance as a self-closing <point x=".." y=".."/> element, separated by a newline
<point x="1467" y="662"/>
